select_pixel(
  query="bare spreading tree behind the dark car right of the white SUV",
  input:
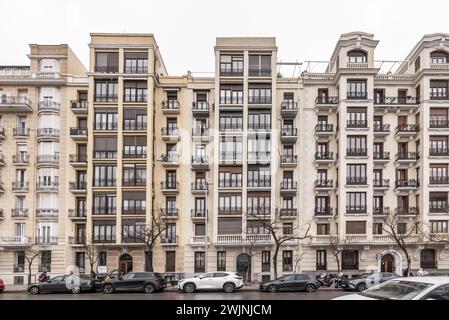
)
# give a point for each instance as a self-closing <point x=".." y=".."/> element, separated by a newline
<point x="274" y="227"/>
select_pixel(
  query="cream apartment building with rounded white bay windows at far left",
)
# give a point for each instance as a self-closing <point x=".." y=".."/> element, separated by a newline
<point x="42" y="122"/>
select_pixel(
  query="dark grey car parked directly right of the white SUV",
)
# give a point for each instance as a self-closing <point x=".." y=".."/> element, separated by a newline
<point x="291" y="282"/>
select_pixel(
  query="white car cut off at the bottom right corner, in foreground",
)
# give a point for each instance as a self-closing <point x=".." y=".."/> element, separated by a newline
<point x="411" y="288"/>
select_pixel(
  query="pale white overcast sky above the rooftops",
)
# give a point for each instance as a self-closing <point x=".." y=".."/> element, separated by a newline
<point x="186" y="30"/>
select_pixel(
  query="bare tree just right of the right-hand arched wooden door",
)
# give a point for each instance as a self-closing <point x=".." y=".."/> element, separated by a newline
<point x="402" y="234"/>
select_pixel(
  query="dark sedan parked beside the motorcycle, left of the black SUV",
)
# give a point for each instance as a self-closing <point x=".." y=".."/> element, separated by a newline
<point x="65" y="283"/>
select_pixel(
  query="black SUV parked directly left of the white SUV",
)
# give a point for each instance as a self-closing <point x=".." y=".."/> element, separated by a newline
<point x="147" y="282"/>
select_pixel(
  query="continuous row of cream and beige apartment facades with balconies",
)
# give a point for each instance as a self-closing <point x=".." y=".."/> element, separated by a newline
<point x="224" y="160"/>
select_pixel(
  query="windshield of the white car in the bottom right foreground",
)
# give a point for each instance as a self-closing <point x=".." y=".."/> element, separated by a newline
<point x="396" y="290"/>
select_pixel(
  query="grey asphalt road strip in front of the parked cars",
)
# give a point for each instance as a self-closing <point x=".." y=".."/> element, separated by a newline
<point x="173" y="295"/>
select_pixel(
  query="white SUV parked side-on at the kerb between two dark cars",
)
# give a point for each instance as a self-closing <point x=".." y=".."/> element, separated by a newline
<point x="227" y="281"/>
